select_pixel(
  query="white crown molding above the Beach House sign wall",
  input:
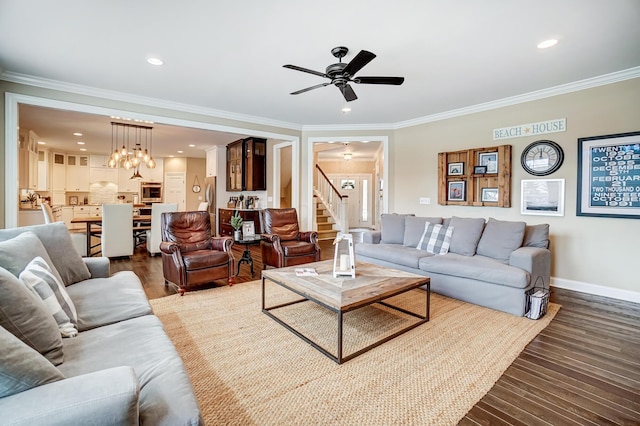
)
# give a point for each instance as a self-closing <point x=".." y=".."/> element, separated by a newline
<point x="575" y="86"/>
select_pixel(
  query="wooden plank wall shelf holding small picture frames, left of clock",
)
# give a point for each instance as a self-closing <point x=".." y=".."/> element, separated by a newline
<point x="460" y="183"/>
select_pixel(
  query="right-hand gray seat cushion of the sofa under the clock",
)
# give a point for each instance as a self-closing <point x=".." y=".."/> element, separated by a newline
<point x="478" y="268"/>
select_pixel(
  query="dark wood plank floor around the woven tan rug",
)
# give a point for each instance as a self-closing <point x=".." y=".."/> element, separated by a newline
<point x="583" y="369"/>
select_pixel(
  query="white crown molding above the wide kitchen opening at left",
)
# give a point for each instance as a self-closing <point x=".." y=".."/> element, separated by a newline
<point x="141" y="100"/>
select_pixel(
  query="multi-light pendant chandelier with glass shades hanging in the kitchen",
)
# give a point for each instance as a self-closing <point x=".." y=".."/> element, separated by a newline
<point x="127" y="142"/>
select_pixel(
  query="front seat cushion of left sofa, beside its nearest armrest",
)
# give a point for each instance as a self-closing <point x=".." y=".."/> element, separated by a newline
<point x="166" y="393"/>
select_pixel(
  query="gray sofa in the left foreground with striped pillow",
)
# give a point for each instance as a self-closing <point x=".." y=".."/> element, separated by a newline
<point x="120" y="368"/>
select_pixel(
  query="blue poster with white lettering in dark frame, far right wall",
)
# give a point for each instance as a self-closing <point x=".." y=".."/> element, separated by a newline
<point x="609" y="176"/>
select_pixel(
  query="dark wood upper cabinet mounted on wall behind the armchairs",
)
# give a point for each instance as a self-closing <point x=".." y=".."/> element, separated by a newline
<point x="247" y="165"/>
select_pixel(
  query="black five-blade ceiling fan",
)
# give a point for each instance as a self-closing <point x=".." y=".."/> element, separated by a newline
<point x="341" y="74"/>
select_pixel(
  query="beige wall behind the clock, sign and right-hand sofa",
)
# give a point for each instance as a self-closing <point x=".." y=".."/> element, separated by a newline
<point x="587" y="251"/>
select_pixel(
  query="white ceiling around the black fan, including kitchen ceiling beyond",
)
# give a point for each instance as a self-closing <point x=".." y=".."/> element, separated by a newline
<point x="228" y="57"/>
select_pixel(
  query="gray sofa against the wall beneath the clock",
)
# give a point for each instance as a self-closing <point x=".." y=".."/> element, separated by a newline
<point x="492" y="264"/>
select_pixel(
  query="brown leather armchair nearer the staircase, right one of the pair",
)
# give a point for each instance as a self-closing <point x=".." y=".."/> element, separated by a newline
<point x="282" y="242"/>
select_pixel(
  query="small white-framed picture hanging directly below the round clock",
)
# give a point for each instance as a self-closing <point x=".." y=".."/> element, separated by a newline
<point x="542" y="197"/>
